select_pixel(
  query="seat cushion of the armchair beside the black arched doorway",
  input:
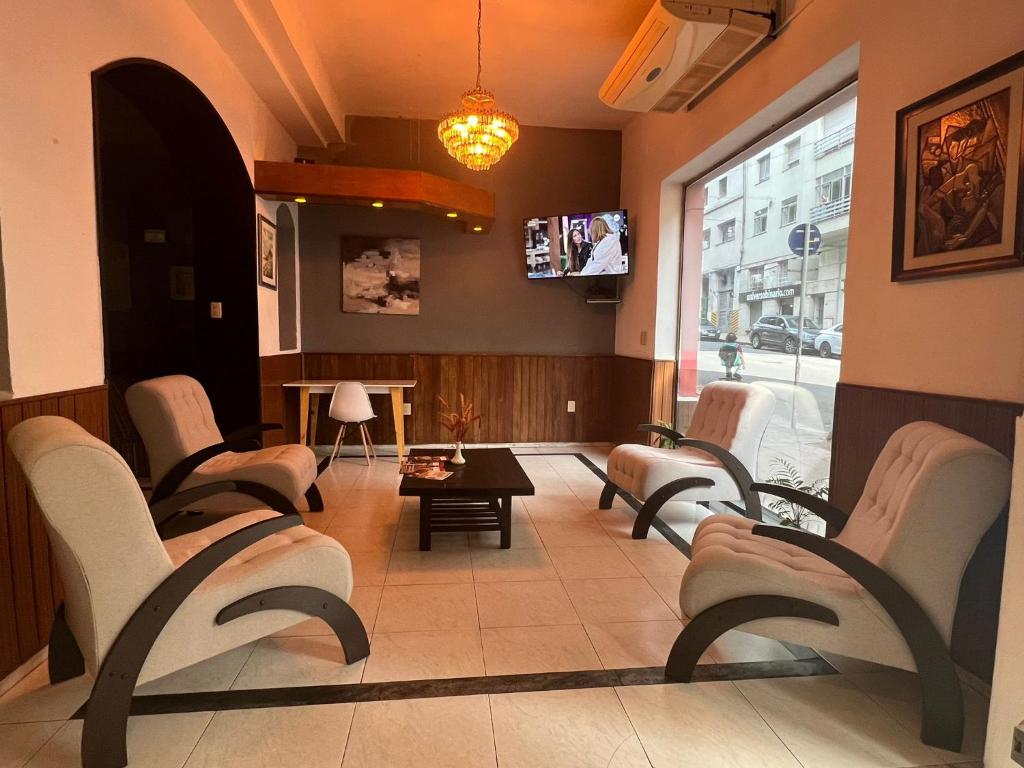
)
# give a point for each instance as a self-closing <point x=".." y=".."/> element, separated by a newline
<point x="288" y="470"/>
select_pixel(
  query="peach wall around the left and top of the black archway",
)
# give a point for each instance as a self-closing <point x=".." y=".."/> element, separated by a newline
<point x="48" y="205"/>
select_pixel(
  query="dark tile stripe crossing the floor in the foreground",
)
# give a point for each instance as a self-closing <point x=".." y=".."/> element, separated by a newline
<point x="167" y="704"/>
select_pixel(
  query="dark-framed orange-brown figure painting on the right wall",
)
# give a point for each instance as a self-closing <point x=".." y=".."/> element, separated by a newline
<point x="960" y="178"/>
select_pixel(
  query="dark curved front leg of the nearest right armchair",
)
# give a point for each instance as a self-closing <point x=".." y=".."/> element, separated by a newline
<point x="711" y="624"/>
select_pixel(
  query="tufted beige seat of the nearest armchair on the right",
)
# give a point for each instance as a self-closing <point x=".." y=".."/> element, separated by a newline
<point x="730" y="562"/>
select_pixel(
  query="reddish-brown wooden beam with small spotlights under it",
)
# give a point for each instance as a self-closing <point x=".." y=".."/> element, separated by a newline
<point x="339" y="185"/>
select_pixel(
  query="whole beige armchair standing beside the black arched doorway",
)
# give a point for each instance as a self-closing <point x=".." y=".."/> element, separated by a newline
<point x="186" y="448"/>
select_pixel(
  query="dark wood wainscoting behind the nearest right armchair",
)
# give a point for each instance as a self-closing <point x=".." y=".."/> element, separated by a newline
<point x="865" y="419"/>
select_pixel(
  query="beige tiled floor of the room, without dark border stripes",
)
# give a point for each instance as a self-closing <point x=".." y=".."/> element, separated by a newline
<point x="575" y="593"/>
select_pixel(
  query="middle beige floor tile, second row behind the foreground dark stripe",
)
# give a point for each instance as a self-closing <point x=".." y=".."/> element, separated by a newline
<point x="524" y="605"/>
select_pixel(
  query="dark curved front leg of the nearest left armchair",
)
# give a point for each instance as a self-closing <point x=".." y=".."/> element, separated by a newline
<point x="315" y="603"/>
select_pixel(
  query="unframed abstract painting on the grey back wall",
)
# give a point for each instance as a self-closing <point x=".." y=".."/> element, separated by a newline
<point x="380" y="276"/>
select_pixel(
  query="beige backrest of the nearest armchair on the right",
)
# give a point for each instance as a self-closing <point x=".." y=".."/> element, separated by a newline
<point x="929" y="500"/>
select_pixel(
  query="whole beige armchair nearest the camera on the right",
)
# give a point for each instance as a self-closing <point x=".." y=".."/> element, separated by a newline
<point x="883" y="589"/>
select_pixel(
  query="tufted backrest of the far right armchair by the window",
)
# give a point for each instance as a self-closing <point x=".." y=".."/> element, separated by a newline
<point x="734" y="416"/>
